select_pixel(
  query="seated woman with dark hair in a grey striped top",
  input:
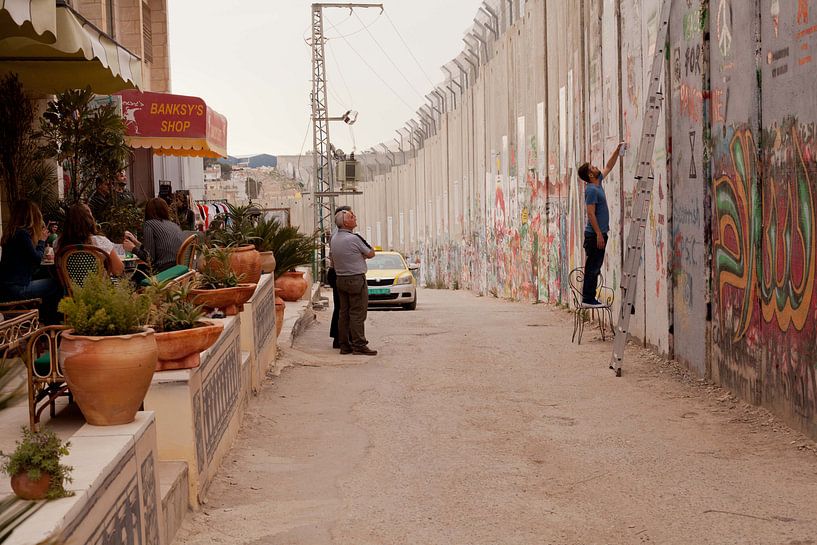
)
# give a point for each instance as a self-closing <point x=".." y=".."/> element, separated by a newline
<point x="162" y="237"/>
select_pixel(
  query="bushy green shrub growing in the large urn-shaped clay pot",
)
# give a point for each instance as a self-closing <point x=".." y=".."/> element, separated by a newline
<point x="101" y="307"/>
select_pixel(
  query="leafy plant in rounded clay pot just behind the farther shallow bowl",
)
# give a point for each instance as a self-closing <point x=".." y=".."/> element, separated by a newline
<point x="234" y="231"/>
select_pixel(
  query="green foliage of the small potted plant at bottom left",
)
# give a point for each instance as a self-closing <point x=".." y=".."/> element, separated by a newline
<point x="38" y="453"/>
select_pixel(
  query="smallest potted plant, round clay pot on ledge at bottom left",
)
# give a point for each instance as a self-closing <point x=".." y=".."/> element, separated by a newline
<point x="34" y="466"/>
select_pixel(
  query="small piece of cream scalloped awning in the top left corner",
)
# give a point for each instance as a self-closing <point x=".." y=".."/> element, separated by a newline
<point x="33" y="19"/>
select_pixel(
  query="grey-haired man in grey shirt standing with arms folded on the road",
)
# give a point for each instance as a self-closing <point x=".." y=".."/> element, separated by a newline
<point x="349" y="252"/>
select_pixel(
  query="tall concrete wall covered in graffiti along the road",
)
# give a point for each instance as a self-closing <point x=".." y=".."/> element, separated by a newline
<point x="487" y="194"/>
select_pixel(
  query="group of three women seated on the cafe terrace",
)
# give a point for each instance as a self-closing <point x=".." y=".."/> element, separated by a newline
<point x="24" y="244"/>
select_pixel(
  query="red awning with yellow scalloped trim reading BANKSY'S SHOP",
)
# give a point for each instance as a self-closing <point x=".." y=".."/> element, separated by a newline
<point x="173" y="124"/>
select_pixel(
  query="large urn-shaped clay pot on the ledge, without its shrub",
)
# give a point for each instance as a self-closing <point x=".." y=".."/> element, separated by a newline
<point x="109" y="376"/>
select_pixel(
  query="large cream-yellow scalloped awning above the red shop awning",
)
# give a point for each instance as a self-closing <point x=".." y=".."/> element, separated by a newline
<point x="82" y="55"/>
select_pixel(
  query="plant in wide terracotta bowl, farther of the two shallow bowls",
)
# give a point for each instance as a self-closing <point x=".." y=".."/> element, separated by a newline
<point x="219" y="286"/>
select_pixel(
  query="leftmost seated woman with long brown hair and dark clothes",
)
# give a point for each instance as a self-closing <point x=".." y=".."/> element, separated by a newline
<point x="23" y="247"/>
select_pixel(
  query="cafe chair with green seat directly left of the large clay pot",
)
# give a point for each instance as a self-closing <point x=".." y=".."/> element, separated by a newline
<point x="46" y="381"/>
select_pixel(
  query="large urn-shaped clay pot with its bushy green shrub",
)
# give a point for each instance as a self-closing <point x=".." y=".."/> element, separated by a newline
<point x="108" y="355"/>
